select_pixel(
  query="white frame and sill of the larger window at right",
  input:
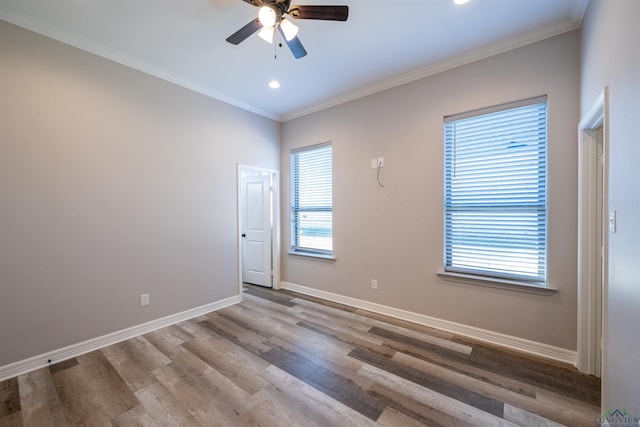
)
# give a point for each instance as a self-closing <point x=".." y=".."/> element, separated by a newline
<point x="488" y="275"/>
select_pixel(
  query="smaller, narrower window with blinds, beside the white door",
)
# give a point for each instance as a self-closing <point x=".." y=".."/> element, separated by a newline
<point x="312" y="201"/>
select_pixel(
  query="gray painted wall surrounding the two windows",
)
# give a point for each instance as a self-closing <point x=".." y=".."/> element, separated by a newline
<point x="394" y="234"/>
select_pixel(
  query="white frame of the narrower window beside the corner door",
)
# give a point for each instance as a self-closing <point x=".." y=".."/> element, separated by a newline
<point x="296" y="246"/>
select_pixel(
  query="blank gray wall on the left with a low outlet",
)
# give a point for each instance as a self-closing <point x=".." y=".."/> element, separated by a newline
<point x="112" y="184"/>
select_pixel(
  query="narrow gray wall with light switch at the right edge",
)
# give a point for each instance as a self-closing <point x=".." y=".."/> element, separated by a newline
<point x="611" y="57"/>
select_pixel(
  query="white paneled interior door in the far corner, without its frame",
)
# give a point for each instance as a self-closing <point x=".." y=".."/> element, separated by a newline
<point x="256" y="230"/>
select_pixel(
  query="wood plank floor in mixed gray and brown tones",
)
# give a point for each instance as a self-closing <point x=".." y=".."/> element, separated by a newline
<point x="281" y="358"/>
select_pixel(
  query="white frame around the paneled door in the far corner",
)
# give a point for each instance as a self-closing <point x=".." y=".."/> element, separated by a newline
<point x="275" y="203"/>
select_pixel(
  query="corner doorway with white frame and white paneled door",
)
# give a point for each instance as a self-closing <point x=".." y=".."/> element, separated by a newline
<point x="258" y="226"/>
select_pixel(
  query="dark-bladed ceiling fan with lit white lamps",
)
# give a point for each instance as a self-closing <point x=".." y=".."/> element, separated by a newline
<point x="271" y="14"/>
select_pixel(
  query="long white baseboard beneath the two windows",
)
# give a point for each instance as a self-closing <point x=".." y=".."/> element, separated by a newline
<point x="491" y="337"/>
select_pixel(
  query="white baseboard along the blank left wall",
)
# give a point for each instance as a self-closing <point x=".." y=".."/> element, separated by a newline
<point x="27" y="365"/>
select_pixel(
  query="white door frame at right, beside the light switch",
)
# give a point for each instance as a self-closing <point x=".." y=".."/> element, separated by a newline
<point x="589" y="342"/>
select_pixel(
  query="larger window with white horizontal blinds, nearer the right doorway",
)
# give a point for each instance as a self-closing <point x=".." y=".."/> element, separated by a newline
<point x="495" y="195"/>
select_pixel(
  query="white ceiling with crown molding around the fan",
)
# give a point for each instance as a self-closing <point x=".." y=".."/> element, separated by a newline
<point x="384" y="43"/>
